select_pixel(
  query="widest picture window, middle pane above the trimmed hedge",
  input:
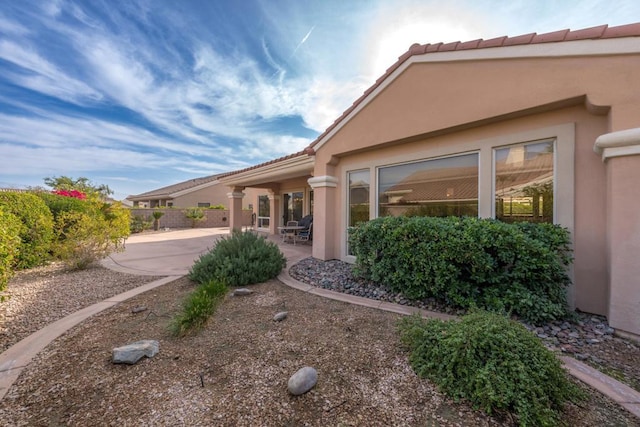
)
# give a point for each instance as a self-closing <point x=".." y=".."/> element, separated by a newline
<point x="439" y="187"/>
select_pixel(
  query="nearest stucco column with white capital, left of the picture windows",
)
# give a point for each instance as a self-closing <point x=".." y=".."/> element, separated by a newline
<point x="325" y="217"/>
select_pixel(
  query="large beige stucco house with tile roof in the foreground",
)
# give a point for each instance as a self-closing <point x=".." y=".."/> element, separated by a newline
<point x="543" y="127"/>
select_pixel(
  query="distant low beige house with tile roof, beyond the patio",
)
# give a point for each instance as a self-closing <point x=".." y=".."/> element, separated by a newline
<point x="199" y="192"/>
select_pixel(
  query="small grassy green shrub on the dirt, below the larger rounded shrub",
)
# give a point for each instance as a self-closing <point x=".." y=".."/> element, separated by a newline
<point x="198" y="307"/>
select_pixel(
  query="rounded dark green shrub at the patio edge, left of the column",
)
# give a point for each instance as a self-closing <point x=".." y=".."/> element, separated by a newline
<point x="241" y="259"/>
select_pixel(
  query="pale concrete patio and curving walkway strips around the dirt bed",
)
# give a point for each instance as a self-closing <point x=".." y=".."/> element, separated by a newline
<point x="172" y="253"/>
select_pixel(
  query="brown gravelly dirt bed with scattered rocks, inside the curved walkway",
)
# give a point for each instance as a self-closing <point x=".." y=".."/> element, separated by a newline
<point x="234" y="372"/>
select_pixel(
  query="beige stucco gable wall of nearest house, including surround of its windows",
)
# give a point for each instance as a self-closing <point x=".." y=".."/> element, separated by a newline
<point x="438" y="109"/>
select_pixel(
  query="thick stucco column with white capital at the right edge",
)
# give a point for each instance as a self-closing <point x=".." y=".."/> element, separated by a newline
<point x="621" y="153"/>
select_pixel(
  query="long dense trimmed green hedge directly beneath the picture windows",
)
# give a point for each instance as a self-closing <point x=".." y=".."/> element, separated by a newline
<point x="469" y="262"/>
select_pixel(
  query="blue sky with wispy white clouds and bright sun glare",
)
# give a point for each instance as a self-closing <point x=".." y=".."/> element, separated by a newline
<point x="142" y="94"/>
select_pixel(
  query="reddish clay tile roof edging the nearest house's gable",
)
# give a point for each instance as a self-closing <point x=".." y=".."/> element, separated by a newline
<point x="599" y="32"/>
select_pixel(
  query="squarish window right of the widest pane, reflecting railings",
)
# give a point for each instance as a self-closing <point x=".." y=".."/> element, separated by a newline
<point x="524" y="182"/>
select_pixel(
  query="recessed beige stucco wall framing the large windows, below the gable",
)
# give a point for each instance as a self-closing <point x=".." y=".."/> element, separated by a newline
<point x="588" y="223"/>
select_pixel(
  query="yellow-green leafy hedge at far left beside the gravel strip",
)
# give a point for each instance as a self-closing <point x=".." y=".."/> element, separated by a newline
<point x="77" y="231"/>
